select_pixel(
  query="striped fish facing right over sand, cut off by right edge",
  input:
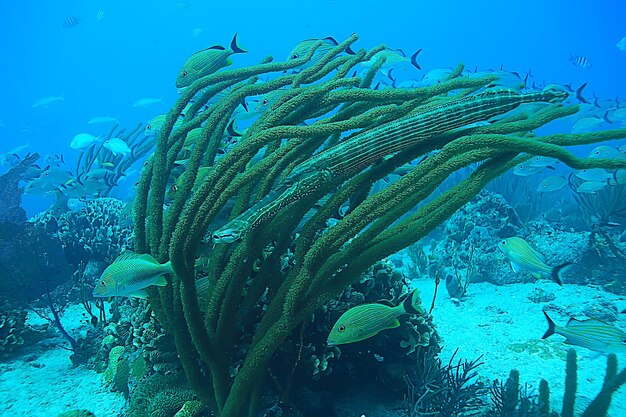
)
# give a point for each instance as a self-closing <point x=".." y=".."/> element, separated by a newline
<point x="591" y="334"/>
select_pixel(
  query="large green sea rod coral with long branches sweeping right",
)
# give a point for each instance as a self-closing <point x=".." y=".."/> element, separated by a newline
<point x="329" y="135"/>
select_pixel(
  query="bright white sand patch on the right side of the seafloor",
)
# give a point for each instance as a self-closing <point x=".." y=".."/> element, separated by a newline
<point x="491" y="318"/>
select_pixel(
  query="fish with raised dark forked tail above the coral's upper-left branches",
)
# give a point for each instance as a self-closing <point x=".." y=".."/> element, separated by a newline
<point x="206" y="62"/>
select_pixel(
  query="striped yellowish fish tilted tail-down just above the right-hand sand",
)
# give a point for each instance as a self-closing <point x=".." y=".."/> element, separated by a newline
<point x="524" y="256"/>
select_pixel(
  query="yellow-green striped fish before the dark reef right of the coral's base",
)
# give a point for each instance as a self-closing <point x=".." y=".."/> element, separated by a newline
<point x="367" y="320"/>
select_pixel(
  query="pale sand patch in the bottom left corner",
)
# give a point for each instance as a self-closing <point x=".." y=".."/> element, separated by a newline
<point x="45" y="384"/>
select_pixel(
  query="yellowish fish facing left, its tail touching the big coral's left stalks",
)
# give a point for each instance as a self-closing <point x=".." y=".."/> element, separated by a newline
<point x="130" y="274"/>
